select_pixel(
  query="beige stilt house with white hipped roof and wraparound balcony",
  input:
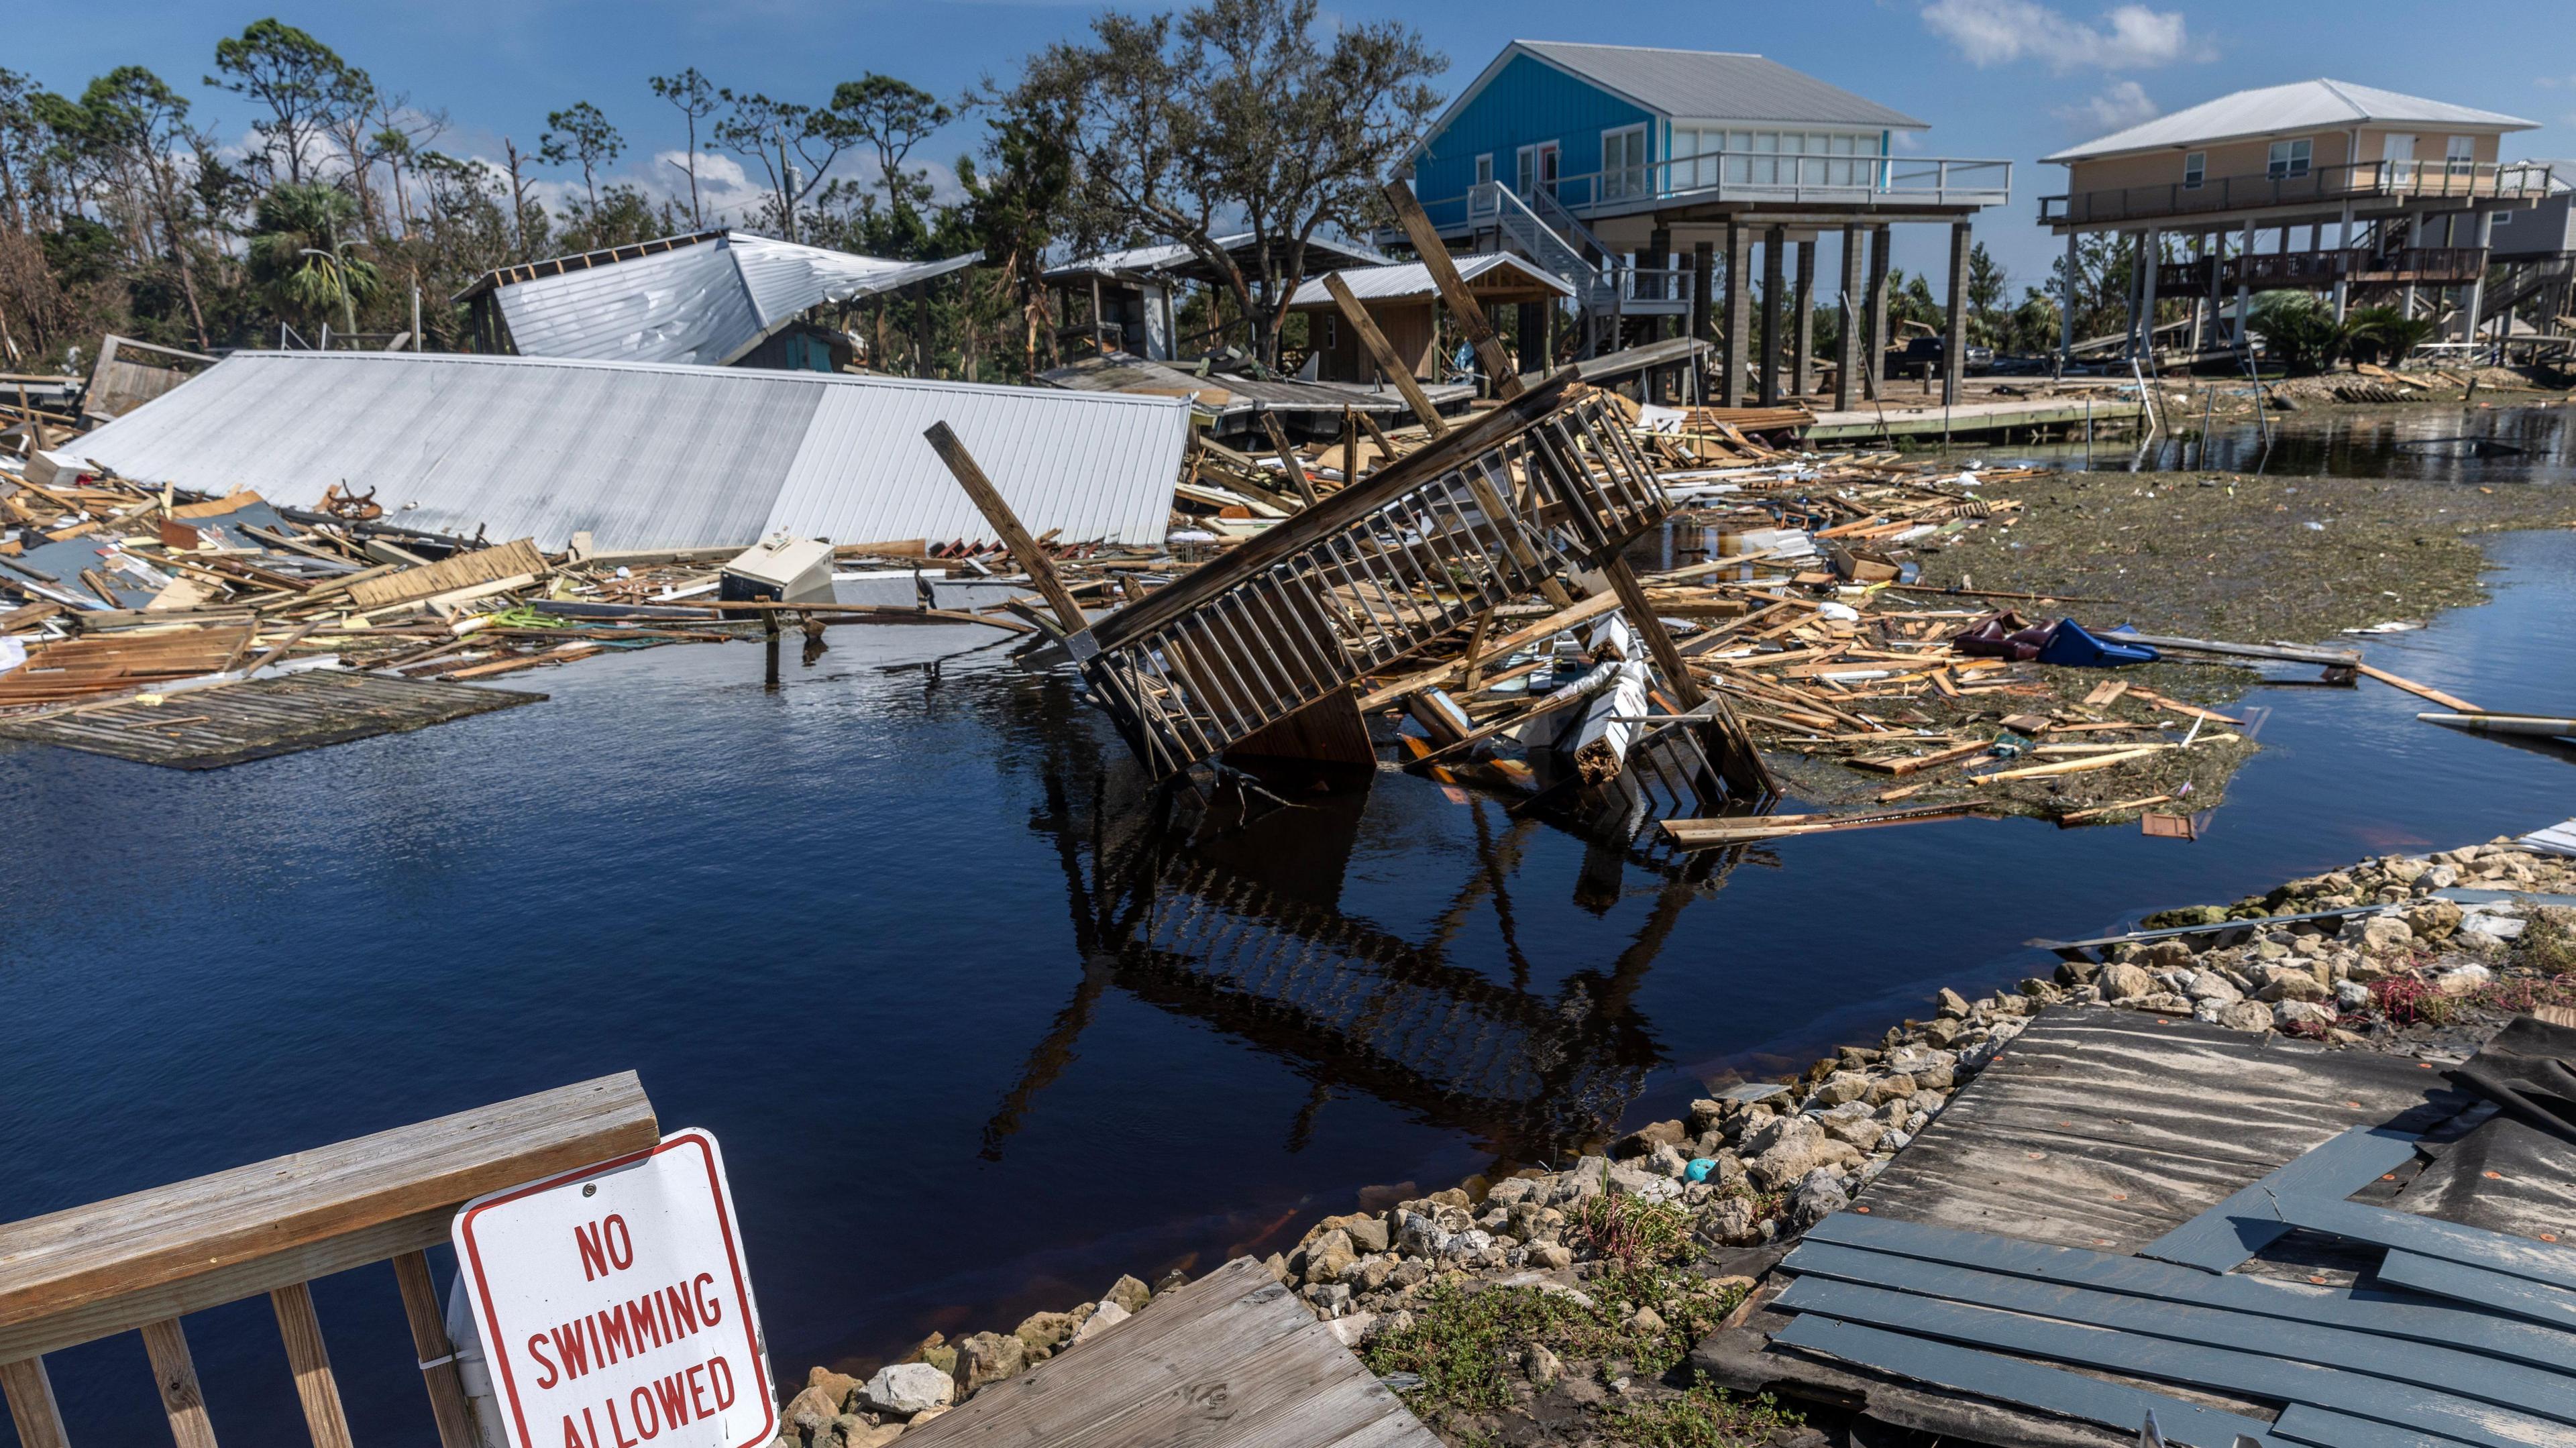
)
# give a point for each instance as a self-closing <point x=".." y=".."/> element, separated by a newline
<point x="2255" y="182"/>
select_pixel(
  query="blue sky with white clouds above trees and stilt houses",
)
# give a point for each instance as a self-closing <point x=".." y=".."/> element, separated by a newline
<point x="1995" y="79"/>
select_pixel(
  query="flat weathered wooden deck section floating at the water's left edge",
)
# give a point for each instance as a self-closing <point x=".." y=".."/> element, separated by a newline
<point x="236" y="723"/>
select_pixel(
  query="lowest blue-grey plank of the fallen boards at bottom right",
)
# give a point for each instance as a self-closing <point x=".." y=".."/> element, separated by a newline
<point x="2023" y="1382"/>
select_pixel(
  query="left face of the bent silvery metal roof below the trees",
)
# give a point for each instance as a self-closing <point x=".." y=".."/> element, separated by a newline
<point x="687" y="308"/>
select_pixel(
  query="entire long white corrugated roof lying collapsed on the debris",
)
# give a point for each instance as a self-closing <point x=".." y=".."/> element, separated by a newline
<point x="653" y="455"/>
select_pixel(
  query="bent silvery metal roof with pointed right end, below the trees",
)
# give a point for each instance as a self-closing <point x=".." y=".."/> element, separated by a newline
<point x="707" y="303"/>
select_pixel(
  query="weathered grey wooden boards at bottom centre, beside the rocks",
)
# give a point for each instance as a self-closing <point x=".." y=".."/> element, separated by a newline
<point x="1227" y="1362"/>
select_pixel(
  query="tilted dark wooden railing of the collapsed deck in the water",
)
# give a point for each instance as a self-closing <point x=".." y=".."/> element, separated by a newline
<point x="1369" y="576"/>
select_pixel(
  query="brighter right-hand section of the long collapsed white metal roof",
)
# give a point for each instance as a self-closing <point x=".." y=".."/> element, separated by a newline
<point x="1094" y="465"/>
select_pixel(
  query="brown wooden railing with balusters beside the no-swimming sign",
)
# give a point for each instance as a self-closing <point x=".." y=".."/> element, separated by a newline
<point x="138" y="1264"/>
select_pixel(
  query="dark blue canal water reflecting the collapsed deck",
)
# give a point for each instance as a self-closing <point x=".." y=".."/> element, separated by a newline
<point x="978" y="1029"/>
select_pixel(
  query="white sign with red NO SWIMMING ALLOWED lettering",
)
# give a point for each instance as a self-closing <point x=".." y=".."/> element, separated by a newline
<point x="617" y="1308"/>
